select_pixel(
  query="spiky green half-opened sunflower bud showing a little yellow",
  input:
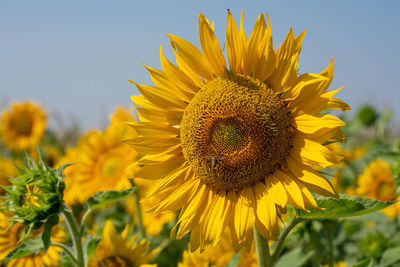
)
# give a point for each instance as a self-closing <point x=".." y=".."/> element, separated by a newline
<point x="35" y="194"/>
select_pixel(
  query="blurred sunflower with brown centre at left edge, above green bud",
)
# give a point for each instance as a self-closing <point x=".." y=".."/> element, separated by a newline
<point x="22" y="127"/>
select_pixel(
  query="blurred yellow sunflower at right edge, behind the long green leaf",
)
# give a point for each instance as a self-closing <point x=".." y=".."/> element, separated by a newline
<point x="377" y="183"/>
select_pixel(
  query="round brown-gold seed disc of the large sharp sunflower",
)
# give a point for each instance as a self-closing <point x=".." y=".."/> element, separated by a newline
<point x="235" y="132"/>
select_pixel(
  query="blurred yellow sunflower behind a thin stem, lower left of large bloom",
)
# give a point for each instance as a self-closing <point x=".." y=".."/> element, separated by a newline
<point x="152" y="223"/>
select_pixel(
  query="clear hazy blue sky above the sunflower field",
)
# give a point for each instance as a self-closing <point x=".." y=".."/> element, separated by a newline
<point x="76" y="57"/>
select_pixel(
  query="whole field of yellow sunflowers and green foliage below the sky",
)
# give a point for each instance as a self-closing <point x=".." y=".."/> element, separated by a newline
<point x="232" y="157"/>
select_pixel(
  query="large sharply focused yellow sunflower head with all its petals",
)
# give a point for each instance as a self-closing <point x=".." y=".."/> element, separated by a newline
<point x="228" y="146"/>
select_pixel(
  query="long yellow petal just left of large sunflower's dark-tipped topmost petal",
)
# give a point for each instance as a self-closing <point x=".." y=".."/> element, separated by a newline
<point x="211" y="47"/>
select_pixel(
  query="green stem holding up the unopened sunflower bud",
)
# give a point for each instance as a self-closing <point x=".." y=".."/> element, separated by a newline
<point x="75" y="235"/>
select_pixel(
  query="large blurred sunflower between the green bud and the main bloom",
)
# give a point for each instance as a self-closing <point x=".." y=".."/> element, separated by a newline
<point x="101" y="160"/>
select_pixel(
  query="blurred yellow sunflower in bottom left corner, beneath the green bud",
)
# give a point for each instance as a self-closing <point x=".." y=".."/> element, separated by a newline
<point x="9" y="238"/>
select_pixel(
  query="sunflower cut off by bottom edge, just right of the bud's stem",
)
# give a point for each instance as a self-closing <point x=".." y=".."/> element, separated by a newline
<point x="115" y="251"/>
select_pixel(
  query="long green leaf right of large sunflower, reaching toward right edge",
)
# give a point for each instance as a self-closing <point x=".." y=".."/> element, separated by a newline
<point x="344" y="206"/>
